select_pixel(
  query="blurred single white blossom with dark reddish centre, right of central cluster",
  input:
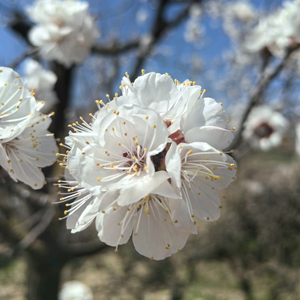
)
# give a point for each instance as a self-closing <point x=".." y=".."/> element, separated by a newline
<point x="264" y="128"/>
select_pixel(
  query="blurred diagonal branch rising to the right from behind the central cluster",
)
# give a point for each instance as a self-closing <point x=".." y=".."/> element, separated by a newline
<point x="257" y="92"/>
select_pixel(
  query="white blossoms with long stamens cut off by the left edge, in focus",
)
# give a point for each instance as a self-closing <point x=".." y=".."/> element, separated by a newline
<point x="25" y="143"/>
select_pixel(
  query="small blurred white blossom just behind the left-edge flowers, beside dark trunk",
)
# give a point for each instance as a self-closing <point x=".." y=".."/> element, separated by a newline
<point x="41" y="81"/>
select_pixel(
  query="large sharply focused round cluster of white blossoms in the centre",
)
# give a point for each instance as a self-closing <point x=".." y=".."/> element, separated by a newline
<point x="149" y="164"/>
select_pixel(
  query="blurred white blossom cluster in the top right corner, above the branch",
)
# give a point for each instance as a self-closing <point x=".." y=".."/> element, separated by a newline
<point x="276" y="32"/>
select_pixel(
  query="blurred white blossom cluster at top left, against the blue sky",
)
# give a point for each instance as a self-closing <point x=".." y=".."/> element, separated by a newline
<point x="65" y="31"/>
